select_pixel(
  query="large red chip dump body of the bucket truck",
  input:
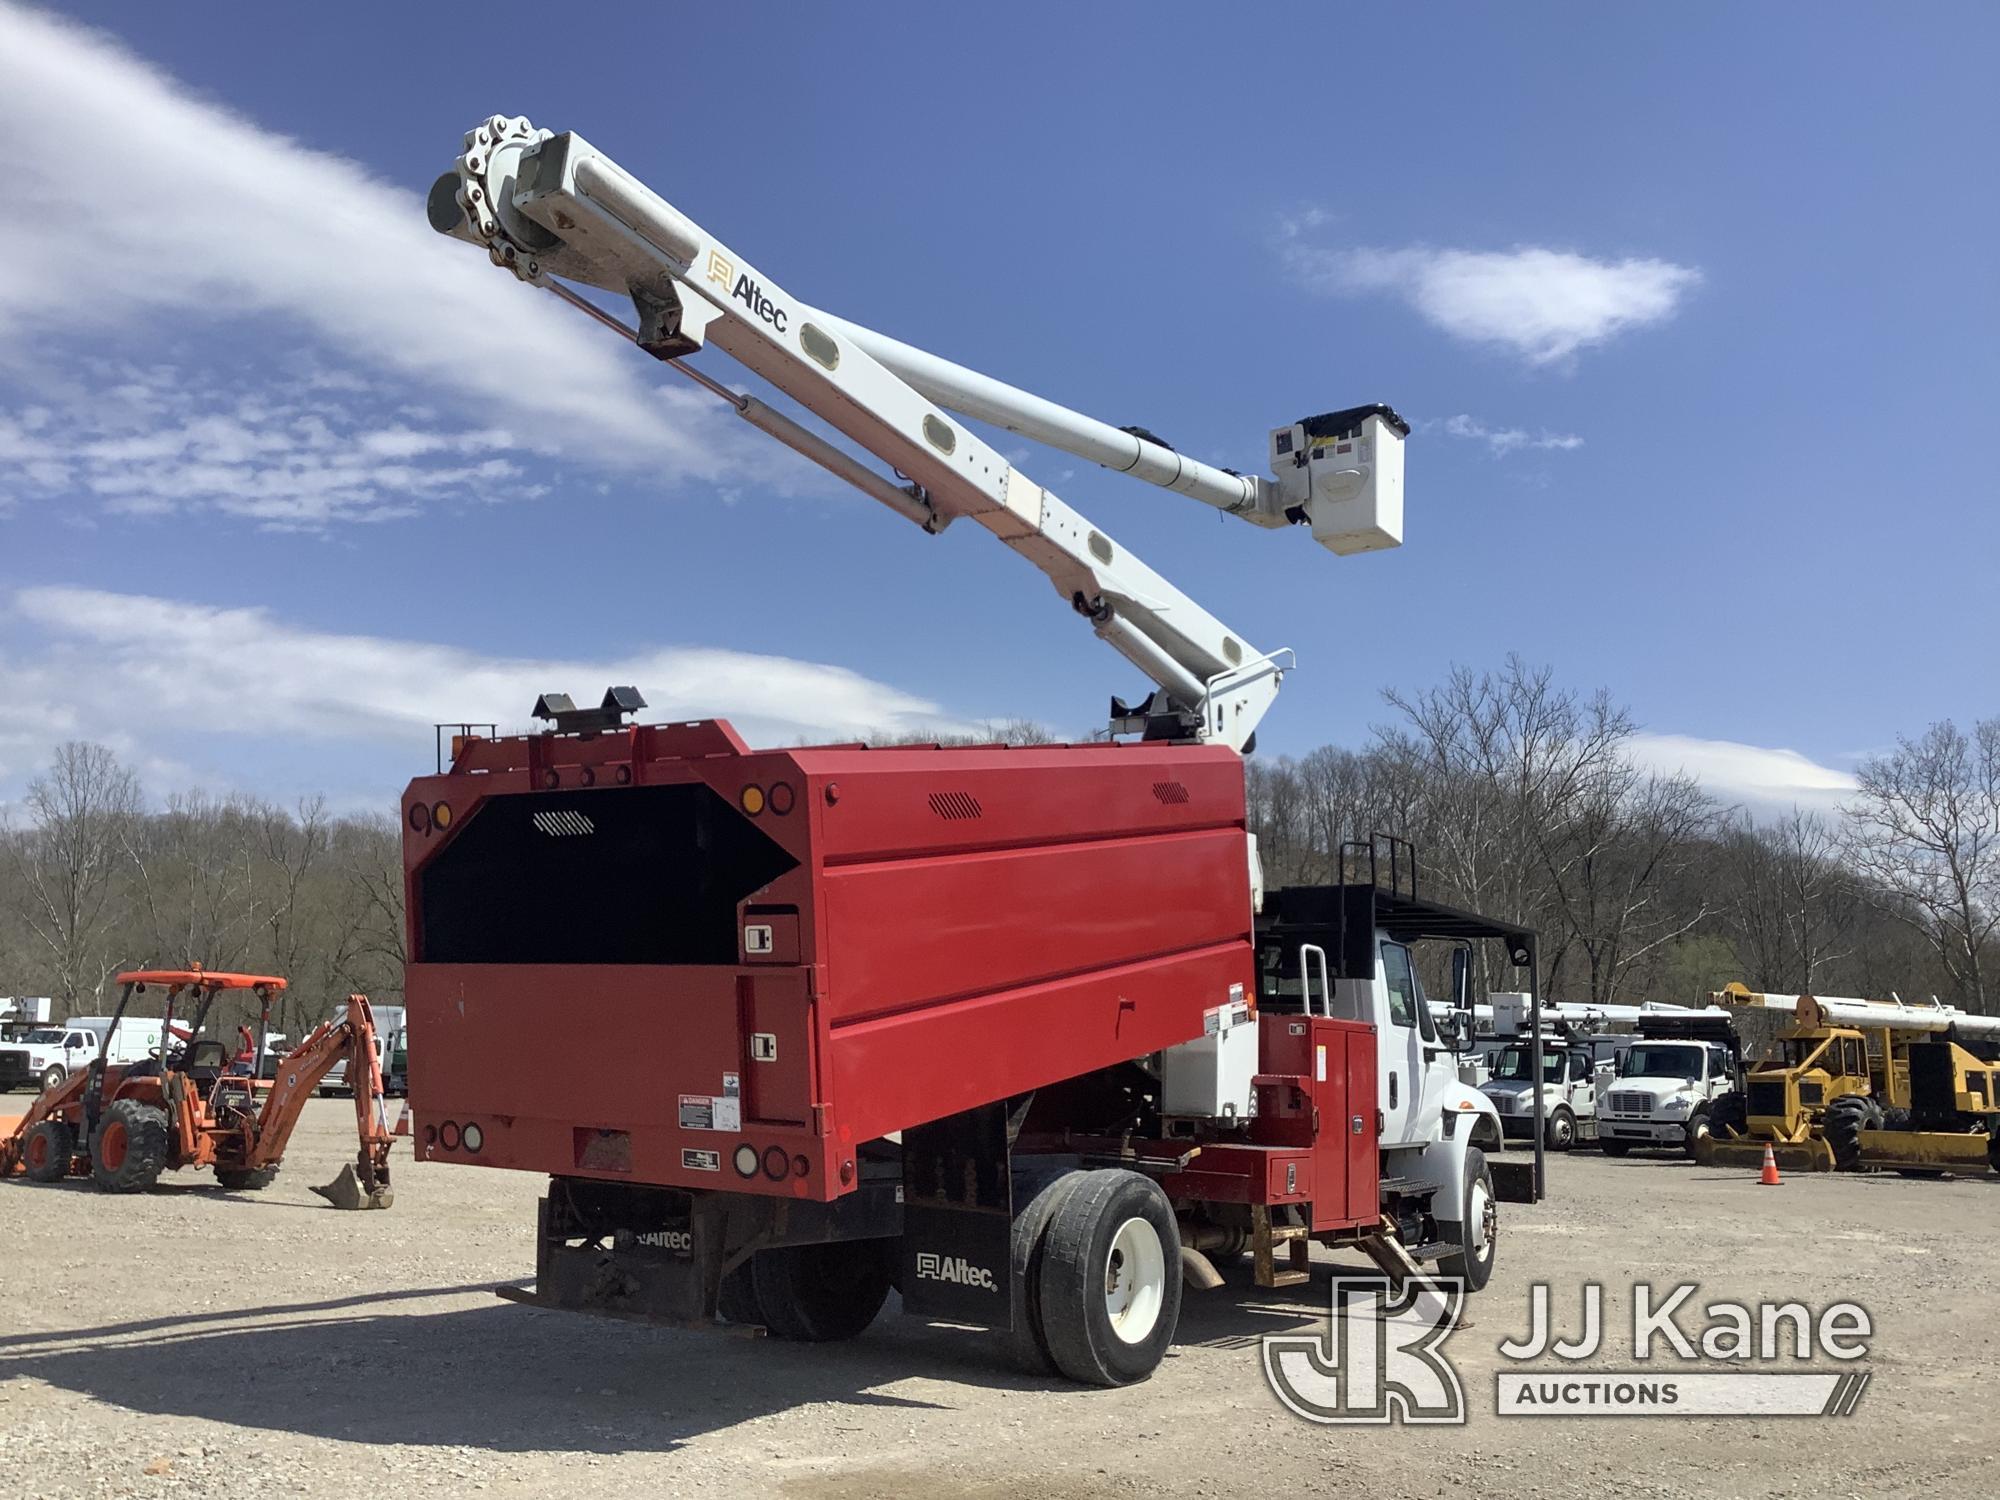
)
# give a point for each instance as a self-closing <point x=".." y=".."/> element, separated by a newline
<point x="925" y="929"/>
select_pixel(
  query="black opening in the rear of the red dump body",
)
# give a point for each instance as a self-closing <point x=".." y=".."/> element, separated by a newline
<point x="645" y="875"/>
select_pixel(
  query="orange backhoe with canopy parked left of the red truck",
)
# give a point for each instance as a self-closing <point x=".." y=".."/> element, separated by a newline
<point x="125" y="1125"/>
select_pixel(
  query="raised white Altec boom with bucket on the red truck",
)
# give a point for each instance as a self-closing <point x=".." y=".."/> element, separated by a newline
<point x="555" y="209"/>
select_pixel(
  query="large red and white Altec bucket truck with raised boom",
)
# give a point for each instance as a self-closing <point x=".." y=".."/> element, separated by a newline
<point x="1015" y="1031"/>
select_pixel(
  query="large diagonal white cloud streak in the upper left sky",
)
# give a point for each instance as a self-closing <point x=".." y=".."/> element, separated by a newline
<point x="143" y="203"/>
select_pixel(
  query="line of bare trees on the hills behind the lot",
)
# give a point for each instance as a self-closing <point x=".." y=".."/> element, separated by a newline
<point x="1521" y="797"/>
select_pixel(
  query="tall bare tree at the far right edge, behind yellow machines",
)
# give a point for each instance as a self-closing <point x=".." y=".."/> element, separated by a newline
<point x="1925" y="831"/>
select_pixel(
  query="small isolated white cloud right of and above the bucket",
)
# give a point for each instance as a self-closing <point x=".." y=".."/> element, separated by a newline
<point x="1545" y="305"/>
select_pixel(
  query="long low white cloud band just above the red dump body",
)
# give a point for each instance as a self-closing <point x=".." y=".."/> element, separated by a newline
<point x="249" y="673"/>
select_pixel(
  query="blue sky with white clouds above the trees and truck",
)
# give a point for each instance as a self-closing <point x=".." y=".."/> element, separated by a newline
<point x="1695" y="313"/>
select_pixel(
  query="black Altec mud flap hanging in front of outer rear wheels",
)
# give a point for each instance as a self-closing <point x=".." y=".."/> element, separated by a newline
<point x="959" y="1219"/>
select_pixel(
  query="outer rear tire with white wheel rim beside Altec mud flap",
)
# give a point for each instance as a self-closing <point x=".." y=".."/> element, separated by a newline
<point x="1111" y="1279"/>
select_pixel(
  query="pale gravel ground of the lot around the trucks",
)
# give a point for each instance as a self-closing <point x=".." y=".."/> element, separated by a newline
<point x="191" y="1343"/>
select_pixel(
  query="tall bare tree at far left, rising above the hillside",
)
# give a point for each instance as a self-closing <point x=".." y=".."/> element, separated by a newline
<point x="69" y="863"/>
